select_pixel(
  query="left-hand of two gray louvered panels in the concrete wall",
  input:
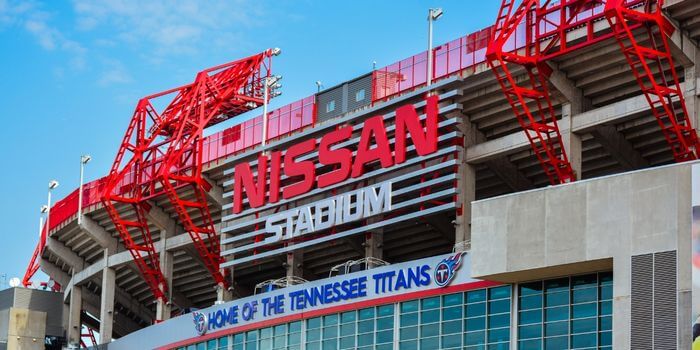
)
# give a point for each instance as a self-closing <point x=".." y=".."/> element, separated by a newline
<point x="642" y="302"/>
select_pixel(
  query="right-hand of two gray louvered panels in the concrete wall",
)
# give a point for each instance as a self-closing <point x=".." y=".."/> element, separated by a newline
<point x="665" y="300"/>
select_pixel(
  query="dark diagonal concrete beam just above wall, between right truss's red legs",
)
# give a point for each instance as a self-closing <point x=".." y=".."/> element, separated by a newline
<point x="618" y="147"/>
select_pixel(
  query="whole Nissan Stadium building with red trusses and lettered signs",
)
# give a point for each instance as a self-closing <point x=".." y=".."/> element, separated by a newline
<point x="527" y="186"/>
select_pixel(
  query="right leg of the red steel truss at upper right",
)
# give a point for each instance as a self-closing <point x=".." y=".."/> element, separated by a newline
<point x="648" y="53"/>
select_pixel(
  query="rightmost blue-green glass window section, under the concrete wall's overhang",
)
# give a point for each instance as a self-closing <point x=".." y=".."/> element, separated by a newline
<point x="566" y="313"/>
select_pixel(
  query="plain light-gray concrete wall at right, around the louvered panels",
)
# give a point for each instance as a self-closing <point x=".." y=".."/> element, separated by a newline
<point x="590" y="225"/>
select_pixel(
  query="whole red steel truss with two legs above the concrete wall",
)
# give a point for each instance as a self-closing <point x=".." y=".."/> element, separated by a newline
<point x="546" y="26"/>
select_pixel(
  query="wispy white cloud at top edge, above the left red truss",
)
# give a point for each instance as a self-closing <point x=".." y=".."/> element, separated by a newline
<point x="164" y="27"/>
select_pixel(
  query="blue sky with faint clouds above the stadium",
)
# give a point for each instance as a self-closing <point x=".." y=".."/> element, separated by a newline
<point x="72" y="71"/>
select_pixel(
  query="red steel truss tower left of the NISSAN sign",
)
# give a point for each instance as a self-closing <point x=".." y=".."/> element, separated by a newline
<point x="161" y="154"/>
